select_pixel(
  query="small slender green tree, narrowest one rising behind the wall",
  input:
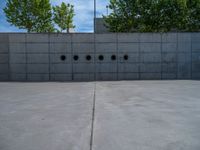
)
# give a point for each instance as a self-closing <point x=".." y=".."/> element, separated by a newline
<point x="63" y="16"/>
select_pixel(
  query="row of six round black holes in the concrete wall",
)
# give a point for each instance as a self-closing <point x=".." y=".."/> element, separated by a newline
<point x="88" y="57"/>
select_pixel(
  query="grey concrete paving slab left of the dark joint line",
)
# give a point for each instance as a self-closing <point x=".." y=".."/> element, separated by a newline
<point x="45" y="116"/>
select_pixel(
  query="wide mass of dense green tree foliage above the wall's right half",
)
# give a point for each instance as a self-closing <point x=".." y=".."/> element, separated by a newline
<point x="153" y="15"/>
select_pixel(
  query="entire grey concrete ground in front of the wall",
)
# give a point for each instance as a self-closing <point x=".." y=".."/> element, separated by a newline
<point x="125" y="115"/>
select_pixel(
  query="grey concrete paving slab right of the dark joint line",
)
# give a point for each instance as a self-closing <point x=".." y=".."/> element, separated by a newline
<point x="147" y="115"/>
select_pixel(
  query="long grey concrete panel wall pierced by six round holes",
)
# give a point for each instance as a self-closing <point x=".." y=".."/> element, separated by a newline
<point x="110" y="56"/>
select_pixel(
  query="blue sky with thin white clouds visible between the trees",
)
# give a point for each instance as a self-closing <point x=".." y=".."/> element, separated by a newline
<point x="83" y="19"/>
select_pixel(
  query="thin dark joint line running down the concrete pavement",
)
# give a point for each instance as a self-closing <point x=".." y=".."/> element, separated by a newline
<point x="93" y="117"/>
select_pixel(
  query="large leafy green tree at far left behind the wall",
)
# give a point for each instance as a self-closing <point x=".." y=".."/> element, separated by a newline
<point x="32" y="15"/>
